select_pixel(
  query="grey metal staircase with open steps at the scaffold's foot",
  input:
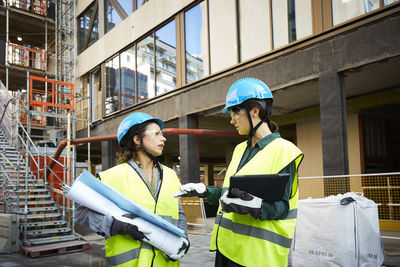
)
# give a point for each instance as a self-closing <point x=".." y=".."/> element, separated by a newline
<point x="23" y="194"/>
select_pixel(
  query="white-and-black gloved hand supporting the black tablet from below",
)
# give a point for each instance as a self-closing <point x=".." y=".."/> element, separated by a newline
<point x="243" y="203"/>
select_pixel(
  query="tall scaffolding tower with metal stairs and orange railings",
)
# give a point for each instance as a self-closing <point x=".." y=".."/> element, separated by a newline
<point x="39" y="84"/>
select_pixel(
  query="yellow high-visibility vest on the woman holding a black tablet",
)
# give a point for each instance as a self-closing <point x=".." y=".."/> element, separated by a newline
<point x="254" y="242"/>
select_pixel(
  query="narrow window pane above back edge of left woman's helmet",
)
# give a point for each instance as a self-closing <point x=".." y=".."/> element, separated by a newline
<point x="128" y="77"/>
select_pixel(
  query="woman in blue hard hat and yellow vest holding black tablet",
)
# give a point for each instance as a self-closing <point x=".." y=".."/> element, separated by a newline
<point x="249" y="231"/>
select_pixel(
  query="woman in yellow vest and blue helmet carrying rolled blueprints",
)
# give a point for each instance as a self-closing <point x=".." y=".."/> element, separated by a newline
<point x="140" y="177"/>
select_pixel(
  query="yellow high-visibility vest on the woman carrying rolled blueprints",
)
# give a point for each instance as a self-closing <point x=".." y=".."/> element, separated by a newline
<point x="123" y="250"/>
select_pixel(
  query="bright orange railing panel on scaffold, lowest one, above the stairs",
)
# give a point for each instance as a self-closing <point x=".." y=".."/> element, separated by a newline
<point x="46" y="92"/>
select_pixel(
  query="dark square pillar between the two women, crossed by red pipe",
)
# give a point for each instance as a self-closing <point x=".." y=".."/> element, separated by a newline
<point x="188" y="151"/>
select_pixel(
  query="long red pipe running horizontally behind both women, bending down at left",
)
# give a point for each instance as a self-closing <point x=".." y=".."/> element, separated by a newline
<point x="166" y="131"/>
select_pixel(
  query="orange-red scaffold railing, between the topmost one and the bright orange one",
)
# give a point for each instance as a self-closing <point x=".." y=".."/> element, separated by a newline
<point x="27" y="57"/>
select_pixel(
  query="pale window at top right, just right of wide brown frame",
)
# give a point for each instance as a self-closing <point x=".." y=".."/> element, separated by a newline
<point x="343" y="10"/>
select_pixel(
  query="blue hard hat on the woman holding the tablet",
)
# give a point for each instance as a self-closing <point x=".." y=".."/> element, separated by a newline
<point x="244" y="89"/>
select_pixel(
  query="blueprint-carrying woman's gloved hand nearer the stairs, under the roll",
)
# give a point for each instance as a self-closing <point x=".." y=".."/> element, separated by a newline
<point x="125" y="225"/>
